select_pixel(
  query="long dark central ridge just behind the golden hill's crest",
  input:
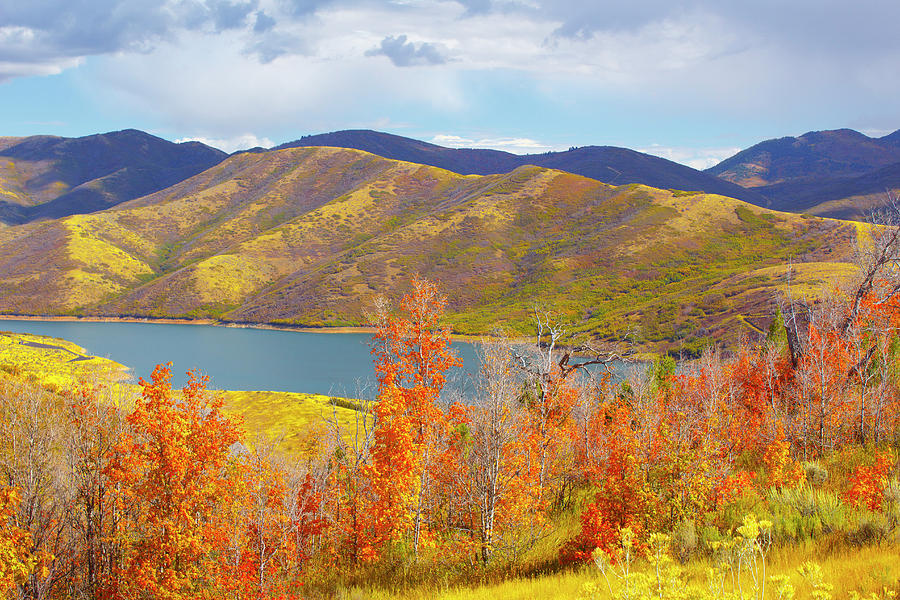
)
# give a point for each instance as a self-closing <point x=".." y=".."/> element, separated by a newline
<point x="608" y="164"/>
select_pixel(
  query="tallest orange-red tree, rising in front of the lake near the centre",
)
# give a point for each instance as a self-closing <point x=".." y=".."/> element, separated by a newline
<point x="412" y="354"/>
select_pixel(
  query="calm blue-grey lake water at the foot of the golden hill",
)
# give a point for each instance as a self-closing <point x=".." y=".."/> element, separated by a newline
<point x="236" y="358"/>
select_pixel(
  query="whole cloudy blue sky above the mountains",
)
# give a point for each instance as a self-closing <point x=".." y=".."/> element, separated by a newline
<point x="693" y="81"/>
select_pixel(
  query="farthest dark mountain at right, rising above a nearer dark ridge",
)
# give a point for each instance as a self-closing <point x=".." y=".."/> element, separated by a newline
<point x="811" y="157"/>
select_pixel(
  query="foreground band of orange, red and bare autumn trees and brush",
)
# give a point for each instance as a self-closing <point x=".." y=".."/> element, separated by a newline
<point x="785" y="445"/>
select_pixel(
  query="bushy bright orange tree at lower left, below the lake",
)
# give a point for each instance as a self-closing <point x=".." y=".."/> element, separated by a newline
<point x="175" y="470"/>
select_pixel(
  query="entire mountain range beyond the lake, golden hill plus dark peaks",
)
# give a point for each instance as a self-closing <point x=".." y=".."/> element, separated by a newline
<point x="127" y="224"/>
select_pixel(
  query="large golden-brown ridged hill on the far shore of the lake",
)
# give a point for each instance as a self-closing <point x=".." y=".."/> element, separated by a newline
<point x="308" y="237"/>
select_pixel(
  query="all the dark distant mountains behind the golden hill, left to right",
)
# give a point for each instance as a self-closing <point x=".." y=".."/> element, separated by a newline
<point x="840" y="173"/>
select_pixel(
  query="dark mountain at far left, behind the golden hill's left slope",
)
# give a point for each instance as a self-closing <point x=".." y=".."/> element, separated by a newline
<point x="48" y="177"/>
